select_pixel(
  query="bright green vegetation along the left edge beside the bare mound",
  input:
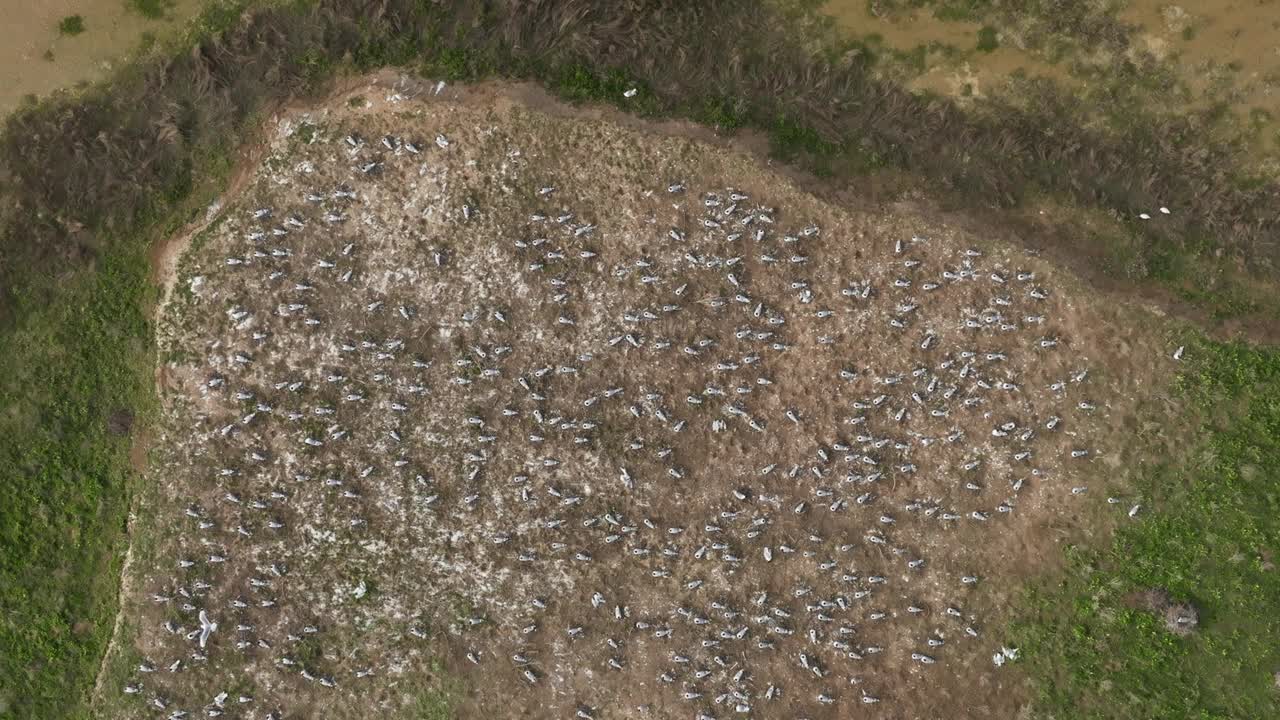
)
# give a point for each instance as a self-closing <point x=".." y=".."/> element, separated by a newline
<point x="75" y="376"/>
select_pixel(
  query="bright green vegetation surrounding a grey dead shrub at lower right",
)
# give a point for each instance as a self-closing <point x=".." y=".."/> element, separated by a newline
<point x="1210" y="534"/>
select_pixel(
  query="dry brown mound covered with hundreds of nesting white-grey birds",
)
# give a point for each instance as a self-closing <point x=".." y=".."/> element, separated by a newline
<point x="589" y="423"/>
